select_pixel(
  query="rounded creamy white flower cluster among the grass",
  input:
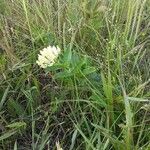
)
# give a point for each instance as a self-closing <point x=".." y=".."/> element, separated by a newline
<point x="48" y="56"/>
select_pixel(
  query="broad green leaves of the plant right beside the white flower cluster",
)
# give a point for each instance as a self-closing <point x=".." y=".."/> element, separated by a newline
<point x="72" y="65"/>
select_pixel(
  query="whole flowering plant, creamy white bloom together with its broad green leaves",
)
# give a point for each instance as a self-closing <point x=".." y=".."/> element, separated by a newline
<point x="64" y="64"/>
